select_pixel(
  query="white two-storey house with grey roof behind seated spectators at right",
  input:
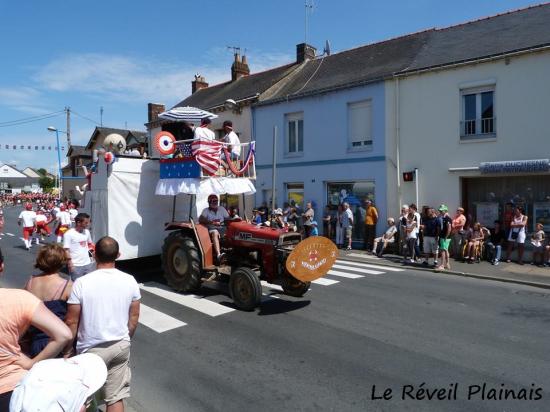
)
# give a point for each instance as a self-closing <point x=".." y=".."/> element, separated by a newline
<point x="471" y="116"/>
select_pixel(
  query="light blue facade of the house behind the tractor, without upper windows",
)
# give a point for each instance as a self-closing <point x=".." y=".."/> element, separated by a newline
<point x="326" y="157"/>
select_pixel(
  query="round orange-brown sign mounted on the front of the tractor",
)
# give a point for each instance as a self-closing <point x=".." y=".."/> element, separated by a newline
<point x="312" y="258"/>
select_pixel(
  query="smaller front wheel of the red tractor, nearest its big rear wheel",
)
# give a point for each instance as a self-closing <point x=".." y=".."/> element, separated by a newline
<point x="245" y="288"/>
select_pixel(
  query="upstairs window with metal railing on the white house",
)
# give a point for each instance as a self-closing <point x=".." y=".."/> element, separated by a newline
<point x="478" y="115"/>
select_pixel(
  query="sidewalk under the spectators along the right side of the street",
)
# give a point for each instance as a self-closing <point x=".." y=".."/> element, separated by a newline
<point x="504" y="272"/>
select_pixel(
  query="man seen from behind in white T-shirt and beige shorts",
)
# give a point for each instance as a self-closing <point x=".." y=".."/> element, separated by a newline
<point x="103" y="314"/>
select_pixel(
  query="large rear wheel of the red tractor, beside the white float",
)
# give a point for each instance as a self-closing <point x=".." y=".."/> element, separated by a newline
<point x="181" y="262"/>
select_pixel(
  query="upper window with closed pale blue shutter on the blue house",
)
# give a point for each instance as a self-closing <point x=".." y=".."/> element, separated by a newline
<point x="360" y="125"/>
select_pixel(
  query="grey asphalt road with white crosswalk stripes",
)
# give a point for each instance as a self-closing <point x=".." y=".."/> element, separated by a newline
<point x="397" y="331"/>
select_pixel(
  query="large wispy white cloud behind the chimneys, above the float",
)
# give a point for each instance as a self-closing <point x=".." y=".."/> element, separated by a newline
<point x="131" y="79"/>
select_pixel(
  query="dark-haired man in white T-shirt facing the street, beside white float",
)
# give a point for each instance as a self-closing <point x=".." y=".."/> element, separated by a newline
<point x="77" y="242"/>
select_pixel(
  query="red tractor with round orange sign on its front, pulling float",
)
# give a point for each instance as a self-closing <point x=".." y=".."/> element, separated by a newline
<point x="252" y="253"/>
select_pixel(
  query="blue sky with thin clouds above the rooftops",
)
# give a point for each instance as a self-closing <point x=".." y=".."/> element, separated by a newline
<point x="121" y="55"/>
